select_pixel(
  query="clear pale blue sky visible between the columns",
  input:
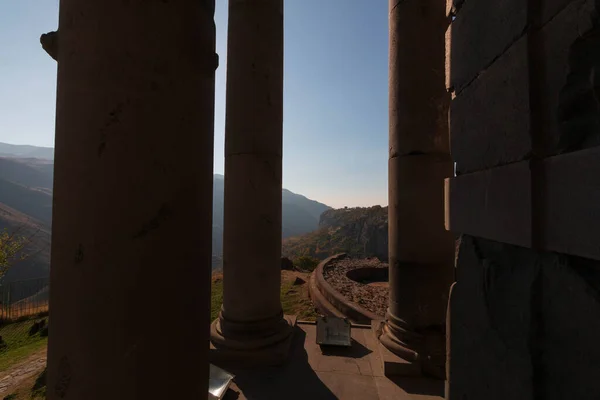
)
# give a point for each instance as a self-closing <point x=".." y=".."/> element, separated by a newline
<point x="335" y="93"/>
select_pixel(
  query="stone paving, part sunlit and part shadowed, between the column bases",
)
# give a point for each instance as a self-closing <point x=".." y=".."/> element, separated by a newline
<point x="347" y="374"/>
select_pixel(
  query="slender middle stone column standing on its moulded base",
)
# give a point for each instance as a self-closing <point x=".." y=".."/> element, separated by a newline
<point x="251" y="317"/>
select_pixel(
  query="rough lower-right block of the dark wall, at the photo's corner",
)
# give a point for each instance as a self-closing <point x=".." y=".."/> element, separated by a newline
<point x="567" y="349"/>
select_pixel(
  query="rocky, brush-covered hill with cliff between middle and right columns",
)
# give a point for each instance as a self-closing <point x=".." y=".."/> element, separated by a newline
<point x="360" y="232"/>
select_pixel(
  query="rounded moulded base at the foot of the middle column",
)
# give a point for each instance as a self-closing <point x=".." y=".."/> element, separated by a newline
<point x="251" y="351"/>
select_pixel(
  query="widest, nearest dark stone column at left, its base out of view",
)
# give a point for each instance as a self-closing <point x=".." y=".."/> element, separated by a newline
<point x="131" y="233"/>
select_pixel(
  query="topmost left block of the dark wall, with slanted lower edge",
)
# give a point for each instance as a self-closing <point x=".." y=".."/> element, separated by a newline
<point x="481" y="32"/>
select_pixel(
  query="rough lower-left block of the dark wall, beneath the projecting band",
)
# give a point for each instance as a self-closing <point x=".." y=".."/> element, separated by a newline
<point x="491" y="321"/>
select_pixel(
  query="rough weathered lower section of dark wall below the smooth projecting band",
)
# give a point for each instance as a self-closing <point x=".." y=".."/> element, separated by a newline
<point x="524" y="324"/>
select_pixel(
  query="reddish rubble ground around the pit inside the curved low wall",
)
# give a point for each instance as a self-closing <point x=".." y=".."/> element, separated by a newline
<point x="372" y="297"/>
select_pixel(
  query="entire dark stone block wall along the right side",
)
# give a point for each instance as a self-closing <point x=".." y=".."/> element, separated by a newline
<point x="524" y="313"/>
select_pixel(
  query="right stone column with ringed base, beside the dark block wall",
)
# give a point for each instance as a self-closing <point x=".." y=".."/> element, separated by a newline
<point x="421" y="251"/>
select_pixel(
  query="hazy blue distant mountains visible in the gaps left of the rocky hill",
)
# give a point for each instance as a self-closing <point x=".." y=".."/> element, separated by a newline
<point x="26" y="178"/>
